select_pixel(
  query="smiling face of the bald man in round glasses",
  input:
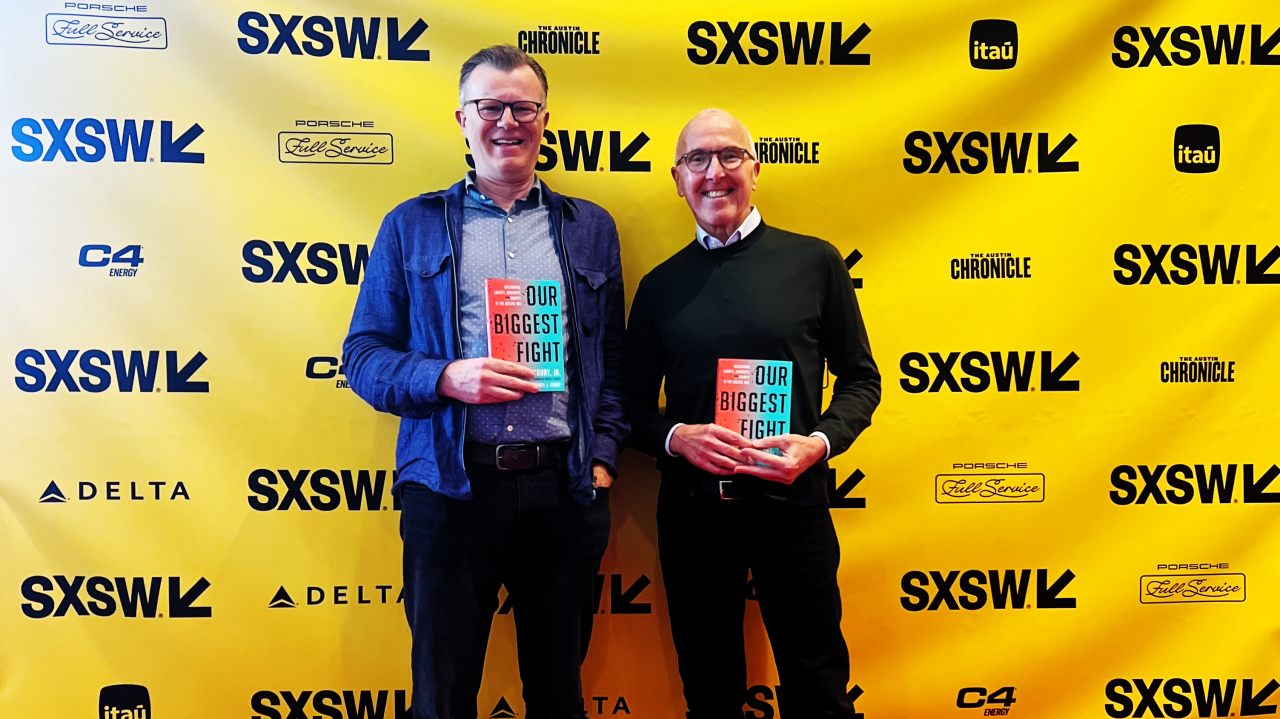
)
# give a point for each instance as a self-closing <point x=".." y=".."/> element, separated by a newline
<point x="721" y="199"/>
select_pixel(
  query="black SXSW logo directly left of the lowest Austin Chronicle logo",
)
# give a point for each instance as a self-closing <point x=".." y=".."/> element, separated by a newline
<point x="1003" y="372"/>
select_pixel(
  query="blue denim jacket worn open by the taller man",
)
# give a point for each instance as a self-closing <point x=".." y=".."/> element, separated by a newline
<point x="405" y="331"/>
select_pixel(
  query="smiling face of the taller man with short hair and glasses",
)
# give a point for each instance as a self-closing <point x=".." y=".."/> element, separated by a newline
<point x="504" y="149"/>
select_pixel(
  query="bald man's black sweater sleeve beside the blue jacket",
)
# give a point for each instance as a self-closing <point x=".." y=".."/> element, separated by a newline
<point x="644" y="373"/>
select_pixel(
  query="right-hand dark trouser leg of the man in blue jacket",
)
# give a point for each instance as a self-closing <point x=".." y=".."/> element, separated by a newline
<point x="559" y="549"/>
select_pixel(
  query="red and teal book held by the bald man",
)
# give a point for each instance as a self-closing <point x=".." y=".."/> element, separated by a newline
<point x="753" y="397"/>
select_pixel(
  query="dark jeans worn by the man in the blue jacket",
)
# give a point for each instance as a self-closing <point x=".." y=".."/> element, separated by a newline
<point x="522" y="530"/>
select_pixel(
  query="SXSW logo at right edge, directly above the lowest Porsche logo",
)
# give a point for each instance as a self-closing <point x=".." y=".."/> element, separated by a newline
<point x="1212" y="484"/>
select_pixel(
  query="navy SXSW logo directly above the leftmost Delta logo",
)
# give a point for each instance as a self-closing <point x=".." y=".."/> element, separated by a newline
<point x="97" y="375"/>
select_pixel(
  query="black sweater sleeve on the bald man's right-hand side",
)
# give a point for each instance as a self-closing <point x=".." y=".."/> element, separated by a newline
<point x="857" y="386"/>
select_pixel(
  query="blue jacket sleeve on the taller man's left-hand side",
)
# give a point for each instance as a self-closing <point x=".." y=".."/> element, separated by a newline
<point x="381" y="368"/>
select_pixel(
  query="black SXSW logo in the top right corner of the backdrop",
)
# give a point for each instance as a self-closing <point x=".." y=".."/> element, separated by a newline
<point x="1142" y="47"/>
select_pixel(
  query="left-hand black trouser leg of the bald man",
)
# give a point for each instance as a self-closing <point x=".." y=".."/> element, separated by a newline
<point x="705" y="573"/>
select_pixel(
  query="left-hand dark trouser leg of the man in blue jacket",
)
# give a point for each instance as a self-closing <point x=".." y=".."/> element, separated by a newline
<point x="456" y="553"/>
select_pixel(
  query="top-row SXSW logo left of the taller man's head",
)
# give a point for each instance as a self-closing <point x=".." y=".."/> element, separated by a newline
<point x="353" y="35"/>
